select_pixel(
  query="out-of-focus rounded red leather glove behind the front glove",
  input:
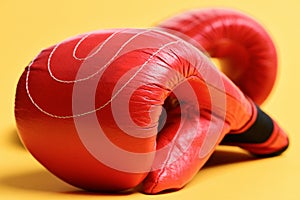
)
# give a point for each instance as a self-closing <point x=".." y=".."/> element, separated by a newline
<point x="246" y="51"/>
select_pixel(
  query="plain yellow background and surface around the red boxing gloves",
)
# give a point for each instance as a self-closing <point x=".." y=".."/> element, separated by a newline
<point x="28" y="26"/>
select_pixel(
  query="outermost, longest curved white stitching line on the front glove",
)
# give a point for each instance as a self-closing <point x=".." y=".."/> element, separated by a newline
<point x="104" y="105"/>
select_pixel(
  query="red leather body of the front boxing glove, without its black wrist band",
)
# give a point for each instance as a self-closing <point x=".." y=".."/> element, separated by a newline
<point x="109" y="110"/>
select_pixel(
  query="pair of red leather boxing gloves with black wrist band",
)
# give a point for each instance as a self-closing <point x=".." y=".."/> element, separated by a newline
<point x="113" y="109"/>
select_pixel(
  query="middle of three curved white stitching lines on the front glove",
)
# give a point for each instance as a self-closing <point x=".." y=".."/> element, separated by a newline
<point x="101" y="68"/>
